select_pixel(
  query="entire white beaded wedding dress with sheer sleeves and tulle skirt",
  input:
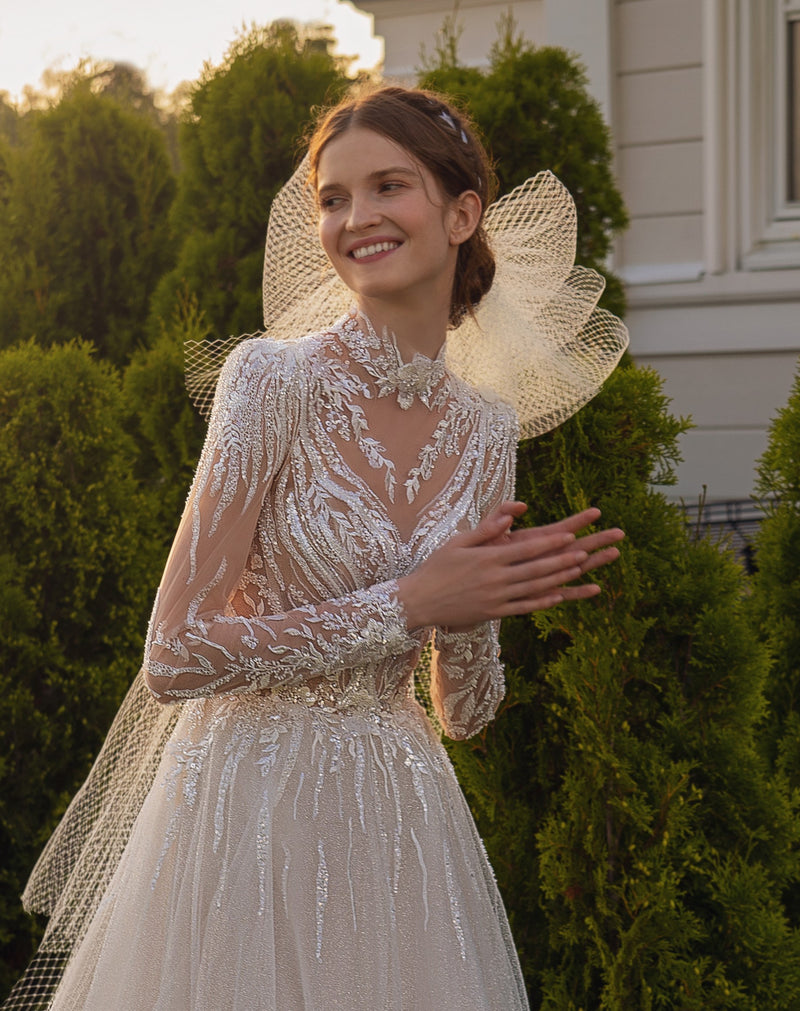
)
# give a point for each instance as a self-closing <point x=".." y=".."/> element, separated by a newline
<point x="305" y="844"/>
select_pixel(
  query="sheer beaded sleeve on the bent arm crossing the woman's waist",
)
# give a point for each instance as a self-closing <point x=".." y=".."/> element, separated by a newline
<point x="200" y="641"/>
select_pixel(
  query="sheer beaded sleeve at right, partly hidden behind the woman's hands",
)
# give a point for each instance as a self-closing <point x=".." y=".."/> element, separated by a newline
<point x="468" y="679"/>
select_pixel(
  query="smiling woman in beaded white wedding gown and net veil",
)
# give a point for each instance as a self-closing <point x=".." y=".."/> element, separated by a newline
<point x="292" y="836"/>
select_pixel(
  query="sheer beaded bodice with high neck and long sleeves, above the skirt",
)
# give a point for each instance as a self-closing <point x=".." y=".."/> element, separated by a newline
<point x="330" y="471"/>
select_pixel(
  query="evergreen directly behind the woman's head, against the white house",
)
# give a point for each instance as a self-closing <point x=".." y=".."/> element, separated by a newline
<point x="536" y="114"/>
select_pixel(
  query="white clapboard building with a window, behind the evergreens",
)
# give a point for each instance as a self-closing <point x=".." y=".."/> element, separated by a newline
<point x="703" y="100"/>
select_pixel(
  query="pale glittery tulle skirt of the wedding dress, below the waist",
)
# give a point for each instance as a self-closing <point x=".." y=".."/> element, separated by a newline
<point x="291" y="857"/>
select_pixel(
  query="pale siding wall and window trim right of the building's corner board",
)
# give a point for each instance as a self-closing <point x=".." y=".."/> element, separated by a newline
<point x="721" y="327"/>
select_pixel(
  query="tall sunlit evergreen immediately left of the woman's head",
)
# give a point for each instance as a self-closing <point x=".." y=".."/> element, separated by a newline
<point x="239" y="145"/>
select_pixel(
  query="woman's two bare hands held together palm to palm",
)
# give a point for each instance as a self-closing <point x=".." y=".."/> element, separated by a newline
<point x="493" y="573"/>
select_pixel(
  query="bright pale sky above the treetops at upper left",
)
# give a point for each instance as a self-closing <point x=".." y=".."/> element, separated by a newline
<point x="169" y="40"/>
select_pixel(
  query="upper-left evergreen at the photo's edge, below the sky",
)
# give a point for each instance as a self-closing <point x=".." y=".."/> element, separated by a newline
<point x="83" y="225"/>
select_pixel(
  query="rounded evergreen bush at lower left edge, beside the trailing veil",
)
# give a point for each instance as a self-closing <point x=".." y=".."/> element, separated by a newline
<point x="76" y="584"/>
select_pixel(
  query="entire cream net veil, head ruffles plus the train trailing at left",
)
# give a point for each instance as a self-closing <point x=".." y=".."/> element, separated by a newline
<point x="538" y="341"/>
